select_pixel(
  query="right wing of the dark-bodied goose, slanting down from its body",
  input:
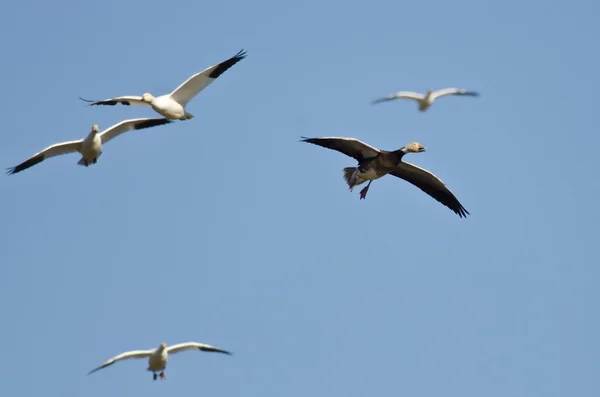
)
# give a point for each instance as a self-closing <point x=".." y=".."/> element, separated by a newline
<point x="430" y="184"/>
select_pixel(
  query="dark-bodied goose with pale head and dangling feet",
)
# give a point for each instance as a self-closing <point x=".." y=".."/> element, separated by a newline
<point x="374" y="164"/>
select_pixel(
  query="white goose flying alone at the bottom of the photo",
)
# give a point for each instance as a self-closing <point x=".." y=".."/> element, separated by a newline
<point x="157" y="358"/>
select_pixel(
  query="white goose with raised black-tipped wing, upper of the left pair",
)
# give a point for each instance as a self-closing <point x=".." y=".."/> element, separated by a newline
<point x="172" y="106"/>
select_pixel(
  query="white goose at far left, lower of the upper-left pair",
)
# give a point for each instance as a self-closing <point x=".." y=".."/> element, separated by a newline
<point x="90" y="147"/>
